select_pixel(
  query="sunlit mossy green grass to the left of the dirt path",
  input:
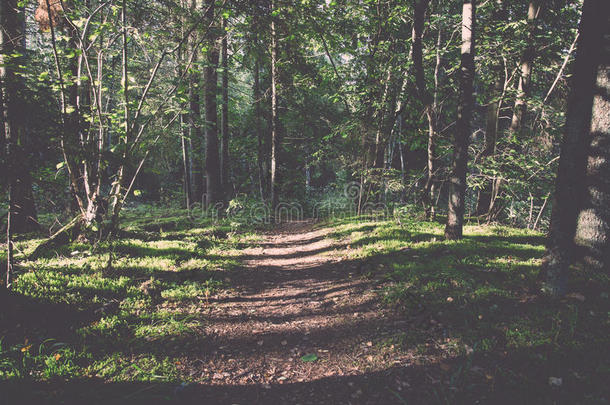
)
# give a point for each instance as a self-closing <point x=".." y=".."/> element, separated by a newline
<point x="120" y="311"/>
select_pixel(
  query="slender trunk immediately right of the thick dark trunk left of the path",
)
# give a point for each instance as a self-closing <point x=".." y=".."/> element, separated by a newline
<point x="225" y="162"/>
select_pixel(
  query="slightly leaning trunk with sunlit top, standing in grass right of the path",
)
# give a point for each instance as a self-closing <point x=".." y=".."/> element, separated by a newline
<point x="457" y="193"/>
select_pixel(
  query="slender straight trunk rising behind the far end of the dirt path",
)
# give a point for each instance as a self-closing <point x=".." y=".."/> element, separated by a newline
<point x="275" y="137"/>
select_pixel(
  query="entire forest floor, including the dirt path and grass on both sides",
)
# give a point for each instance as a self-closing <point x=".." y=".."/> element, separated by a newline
<point x="348" y="311"/>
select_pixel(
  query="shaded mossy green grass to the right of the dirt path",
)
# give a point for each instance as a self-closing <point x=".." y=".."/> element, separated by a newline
<point x="479" y="298"/>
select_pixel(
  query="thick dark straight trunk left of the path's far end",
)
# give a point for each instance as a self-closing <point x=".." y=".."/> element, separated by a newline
<point x="210" y="78"/>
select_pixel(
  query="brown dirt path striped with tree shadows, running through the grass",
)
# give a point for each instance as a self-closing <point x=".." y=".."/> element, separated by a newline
<point x="297" y="297"/>
